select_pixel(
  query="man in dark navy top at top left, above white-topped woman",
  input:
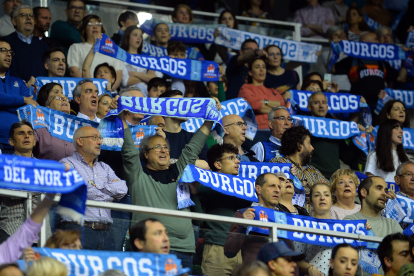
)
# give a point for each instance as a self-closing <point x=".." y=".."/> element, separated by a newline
<point x="66" y="32"/>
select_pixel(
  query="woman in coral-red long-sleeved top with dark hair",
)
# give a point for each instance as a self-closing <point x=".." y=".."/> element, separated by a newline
<point x="261" y="98"/>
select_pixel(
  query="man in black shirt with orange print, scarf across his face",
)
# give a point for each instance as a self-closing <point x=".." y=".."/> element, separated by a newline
<point x="368" y="76"/>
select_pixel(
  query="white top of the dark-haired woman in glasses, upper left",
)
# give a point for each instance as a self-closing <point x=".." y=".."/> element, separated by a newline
<point x="78" y="52"/>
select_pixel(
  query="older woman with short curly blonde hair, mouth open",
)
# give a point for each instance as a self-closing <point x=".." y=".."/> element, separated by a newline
<point x="344" y="184"/>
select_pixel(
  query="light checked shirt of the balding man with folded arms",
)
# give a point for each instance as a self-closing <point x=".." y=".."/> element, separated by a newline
<point x="102" y="184"/>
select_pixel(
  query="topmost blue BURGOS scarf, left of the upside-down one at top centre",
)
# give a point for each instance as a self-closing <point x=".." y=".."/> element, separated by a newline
<point x="187" y="33"/>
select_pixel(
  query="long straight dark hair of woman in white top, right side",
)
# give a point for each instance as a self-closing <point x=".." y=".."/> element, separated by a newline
<point x="384" y="146"/>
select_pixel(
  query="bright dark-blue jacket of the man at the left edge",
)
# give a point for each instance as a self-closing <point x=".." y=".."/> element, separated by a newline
<point x="11" y="98"/>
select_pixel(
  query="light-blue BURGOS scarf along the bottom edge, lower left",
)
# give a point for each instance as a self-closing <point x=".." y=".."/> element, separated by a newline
<point x="94" y="262"/>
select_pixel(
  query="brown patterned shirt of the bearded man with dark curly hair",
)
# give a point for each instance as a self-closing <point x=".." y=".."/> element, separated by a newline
<point x="308" y="175"/>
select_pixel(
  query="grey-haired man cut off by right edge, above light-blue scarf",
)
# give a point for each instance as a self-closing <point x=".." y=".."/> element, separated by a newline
<point x="404" y="178"/>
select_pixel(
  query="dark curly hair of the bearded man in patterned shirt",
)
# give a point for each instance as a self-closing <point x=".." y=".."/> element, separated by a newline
<point x="292" y="138"/>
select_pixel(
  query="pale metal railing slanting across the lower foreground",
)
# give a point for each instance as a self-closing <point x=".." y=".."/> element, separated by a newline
<point x="273" y="227"/>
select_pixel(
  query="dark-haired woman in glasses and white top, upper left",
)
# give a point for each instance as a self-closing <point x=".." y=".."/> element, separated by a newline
<point x="90" y="29"/>
